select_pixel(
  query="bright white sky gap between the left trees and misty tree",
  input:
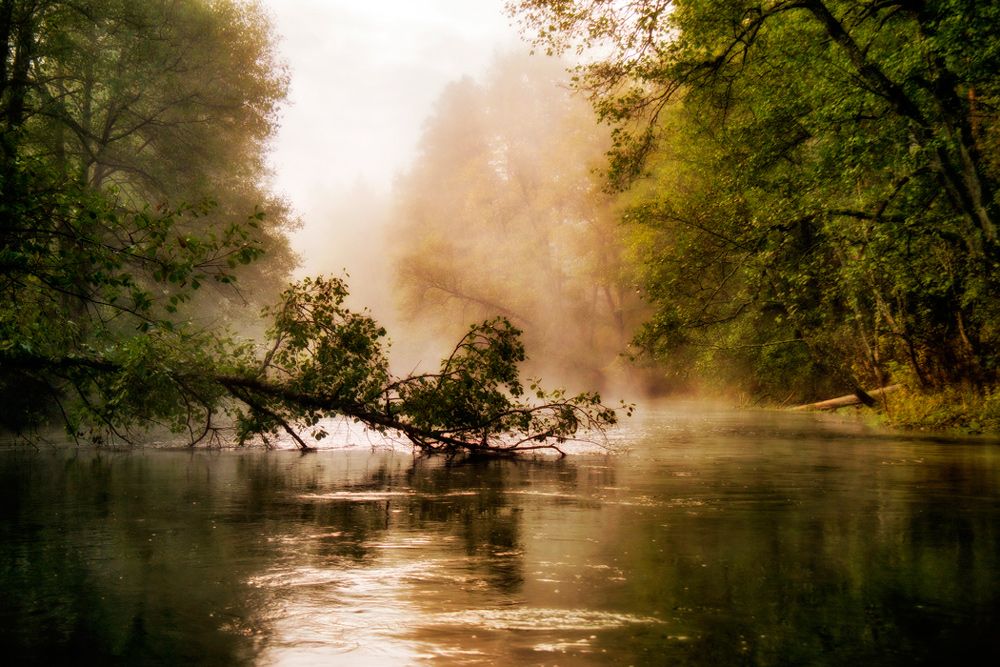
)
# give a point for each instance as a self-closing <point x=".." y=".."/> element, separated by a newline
<point x="364" y="77"/>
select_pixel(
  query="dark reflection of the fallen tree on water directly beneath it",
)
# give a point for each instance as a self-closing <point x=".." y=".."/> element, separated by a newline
<point x="458" y="502"/>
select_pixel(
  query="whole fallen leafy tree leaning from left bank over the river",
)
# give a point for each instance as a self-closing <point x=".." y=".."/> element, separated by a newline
<point x="321" y="360"/>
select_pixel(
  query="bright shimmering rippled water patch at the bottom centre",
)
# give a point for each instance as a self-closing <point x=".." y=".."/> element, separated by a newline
<point x="407" y="612"/>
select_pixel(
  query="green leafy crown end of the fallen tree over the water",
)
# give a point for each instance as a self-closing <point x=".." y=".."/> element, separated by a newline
<point x="322" y="360"/>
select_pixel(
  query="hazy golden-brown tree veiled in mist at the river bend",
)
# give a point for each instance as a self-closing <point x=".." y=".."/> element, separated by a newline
<point x="502" y="215"/>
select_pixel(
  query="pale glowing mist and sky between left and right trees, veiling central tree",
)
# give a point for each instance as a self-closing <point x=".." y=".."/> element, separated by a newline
<point x="452" y="178"/>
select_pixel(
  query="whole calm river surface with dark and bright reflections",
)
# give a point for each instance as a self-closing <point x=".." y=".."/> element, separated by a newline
<point x="720" y="539"/>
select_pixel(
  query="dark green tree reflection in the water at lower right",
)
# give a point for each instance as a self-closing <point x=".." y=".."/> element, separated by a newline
<point x="871" y="571"/>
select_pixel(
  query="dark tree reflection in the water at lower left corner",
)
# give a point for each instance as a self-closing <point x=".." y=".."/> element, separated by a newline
<point x="106" y="556"/>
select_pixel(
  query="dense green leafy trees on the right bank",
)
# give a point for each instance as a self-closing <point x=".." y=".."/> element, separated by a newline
<point x="840" y="197"/>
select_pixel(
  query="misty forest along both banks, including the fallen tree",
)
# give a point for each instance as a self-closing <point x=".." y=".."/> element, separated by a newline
<point x="774" y="202"/>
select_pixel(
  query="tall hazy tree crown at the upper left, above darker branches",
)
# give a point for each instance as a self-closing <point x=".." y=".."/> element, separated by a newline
<point x="165" y="102"/>
